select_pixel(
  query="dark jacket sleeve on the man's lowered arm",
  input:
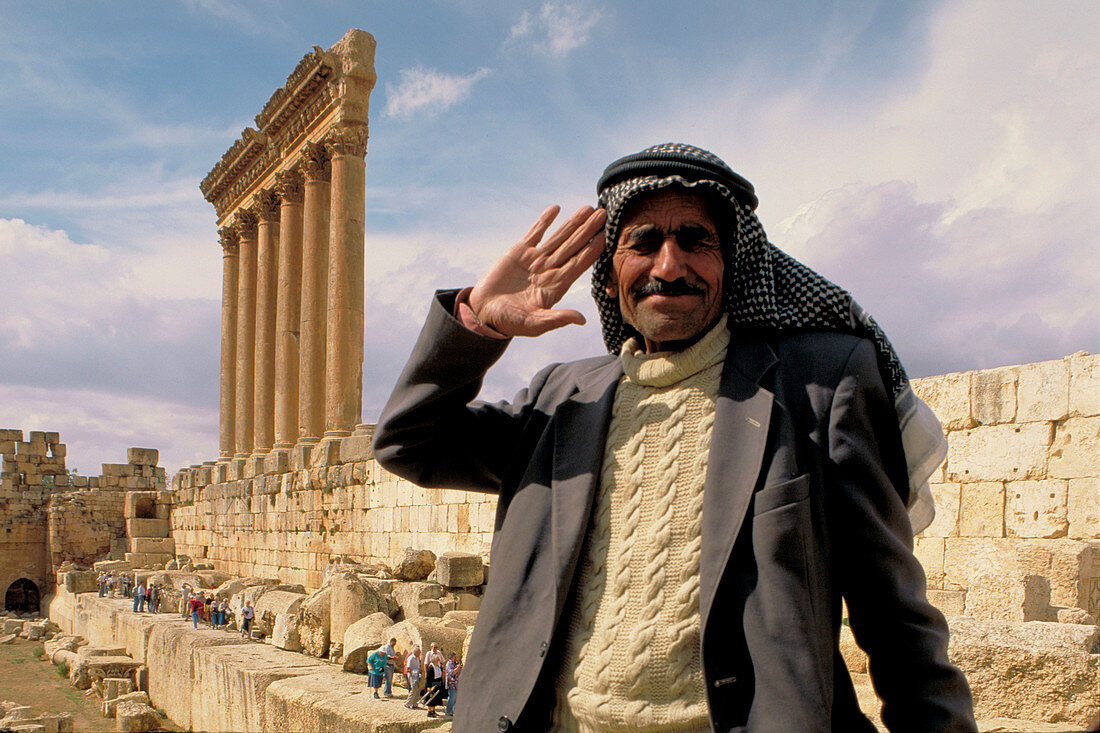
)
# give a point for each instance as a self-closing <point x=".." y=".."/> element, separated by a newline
<point x="884" y="585"/>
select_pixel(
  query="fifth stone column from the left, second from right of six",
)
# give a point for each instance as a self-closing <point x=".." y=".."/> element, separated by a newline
<point x="315" y="288"/>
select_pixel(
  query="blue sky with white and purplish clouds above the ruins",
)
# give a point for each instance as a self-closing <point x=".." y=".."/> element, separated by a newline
<point x="939" y="160"/>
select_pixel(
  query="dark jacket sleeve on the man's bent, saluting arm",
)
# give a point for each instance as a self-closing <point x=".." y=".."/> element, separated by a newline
<point x="432" y="431"/>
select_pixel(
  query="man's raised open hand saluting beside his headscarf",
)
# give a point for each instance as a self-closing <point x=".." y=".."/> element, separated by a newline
<point x="518" y="296"/>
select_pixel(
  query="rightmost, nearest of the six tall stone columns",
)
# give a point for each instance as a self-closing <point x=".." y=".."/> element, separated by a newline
<point x="344" y="389"/>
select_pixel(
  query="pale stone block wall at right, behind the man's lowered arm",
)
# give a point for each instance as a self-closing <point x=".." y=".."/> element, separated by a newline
<point x="1018" y="500"/>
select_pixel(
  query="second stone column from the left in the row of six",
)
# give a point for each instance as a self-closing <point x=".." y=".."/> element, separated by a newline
<point x="246" y="330"/>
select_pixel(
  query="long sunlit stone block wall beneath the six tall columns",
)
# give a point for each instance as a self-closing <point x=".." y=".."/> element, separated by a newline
<point x="288" y="522"/>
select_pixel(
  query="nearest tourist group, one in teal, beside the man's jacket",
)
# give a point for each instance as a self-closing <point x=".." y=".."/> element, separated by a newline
<point x="441" y="679"/>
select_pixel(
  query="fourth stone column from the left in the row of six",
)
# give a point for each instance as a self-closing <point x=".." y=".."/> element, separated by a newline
<point x="289" y="309"/>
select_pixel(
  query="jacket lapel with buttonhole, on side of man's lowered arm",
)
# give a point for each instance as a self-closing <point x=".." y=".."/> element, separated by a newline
<point x="742" y="419"/>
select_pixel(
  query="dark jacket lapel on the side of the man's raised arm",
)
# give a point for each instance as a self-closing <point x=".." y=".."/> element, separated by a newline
<point x="580" y="433"/>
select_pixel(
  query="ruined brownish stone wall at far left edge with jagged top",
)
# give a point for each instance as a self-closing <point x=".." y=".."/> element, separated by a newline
<point x="50" y="517"/>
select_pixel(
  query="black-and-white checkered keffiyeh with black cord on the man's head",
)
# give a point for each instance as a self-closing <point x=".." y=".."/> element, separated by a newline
<point x="764" y="288"/>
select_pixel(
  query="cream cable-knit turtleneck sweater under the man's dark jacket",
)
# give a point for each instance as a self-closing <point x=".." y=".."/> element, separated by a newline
<point x="633" y="661"/>
